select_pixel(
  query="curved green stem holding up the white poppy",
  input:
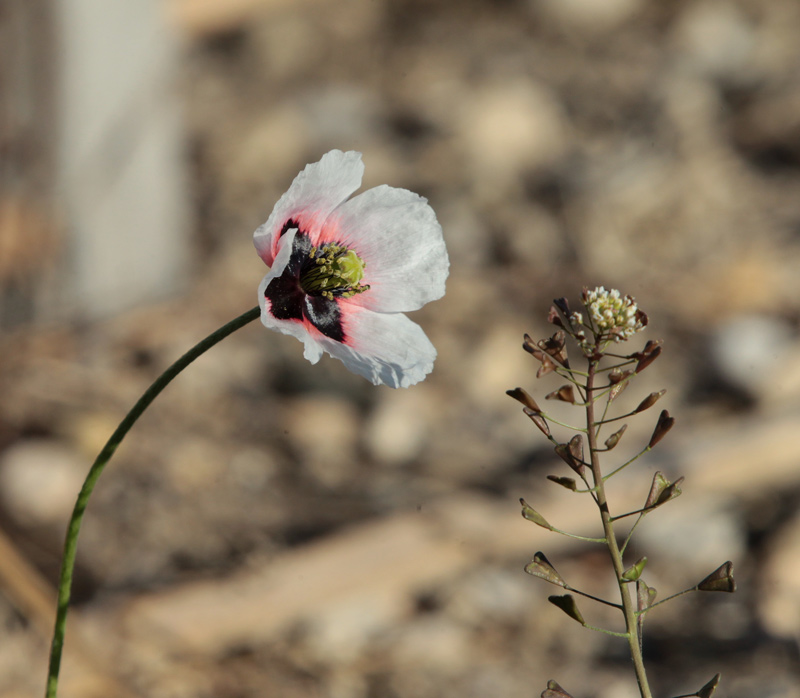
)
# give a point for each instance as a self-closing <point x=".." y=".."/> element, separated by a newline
<point x="71" y="541"/>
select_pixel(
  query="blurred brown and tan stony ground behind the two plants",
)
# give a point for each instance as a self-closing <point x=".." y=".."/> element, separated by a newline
<point x="276" y="529"/>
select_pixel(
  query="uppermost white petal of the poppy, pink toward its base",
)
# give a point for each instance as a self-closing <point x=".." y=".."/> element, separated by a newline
<point x="314" y="193"/>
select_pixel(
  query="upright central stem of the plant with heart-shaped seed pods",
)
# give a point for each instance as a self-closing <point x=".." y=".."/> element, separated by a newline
<point x="628" y="608"/>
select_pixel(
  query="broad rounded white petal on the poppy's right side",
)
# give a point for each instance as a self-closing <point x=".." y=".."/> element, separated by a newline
<point x="396" y="233"/>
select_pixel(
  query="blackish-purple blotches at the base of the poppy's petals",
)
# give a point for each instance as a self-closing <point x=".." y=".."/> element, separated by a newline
<point x="290" y="301"/>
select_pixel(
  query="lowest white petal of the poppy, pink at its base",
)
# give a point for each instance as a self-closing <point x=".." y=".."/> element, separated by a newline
<point x="386" y="349"/>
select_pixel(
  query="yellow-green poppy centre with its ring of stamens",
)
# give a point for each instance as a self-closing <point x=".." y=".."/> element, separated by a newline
<point x="333" y="271"/>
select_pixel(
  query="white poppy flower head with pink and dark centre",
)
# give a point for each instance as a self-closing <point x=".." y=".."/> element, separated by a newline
<point x="343" y="271"/>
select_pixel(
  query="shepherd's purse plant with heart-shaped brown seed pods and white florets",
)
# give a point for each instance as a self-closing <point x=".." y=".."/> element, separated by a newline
<point x="608" y="320"/>
